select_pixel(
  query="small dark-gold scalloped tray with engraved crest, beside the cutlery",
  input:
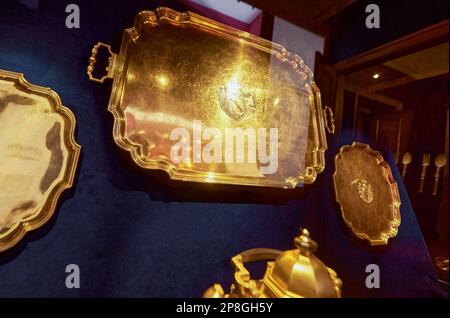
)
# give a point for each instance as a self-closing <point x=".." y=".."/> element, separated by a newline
<point x="367" y="193"/>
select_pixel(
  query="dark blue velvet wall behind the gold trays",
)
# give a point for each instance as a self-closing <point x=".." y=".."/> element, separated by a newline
<point x="138" y="234"/>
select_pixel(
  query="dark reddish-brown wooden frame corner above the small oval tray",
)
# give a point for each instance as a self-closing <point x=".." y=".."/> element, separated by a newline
<point x="428" y="37"/>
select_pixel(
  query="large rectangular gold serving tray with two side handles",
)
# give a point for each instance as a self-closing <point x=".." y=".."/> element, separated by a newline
<point x="176" y="70"/>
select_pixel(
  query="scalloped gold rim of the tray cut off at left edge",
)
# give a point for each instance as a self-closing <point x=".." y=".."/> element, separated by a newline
<point x="12" y="237"/>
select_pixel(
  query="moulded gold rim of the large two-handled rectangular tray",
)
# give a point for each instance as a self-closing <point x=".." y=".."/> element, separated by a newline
<point x="316" y="163"/>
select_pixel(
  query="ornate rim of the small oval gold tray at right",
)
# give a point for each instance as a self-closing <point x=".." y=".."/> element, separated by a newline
<point x="396" y="202"/>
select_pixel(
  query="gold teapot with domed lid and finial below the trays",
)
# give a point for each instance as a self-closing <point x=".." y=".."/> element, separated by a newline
<point x="294" y="273"/>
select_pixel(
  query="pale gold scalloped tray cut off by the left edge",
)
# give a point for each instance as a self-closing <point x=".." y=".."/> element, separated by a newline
<point x="38" y="155"/>
